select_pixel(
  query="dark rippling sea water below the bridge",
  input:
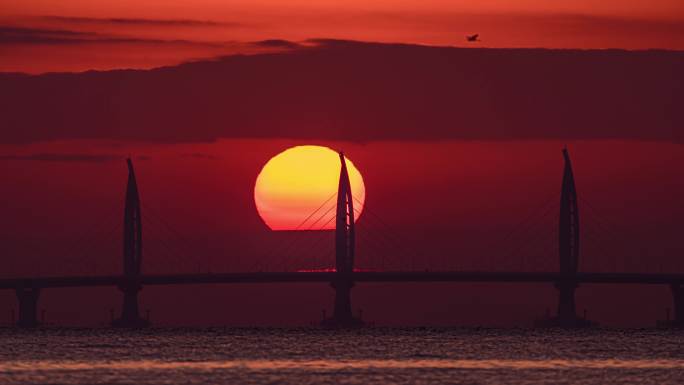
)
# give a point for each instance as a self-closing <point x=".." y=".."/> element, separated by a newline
<point x="365" y="356"/>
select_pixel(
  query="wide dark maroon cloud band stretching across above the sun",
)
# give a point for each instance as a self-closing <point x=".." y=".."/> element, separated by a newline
<point x="342" y="90"/>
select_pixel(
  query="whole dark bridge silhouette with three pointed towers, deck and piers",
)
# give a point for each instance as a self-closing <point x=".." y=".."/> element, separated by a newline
<point x="345" y="274"/>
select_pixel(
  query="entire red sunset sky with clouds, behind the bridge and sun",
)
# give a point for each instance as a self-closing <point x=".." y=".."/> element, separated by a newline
<point x="459" y="148"/>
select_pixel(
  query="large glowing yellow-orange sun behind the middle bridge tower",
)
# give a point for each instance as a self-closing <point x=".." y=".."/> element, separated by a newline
<point x="300" y="181"/>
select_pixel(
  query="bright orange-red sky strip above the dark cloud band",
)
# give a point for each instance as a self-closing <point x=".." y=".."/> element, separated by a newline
<point x="144" y="34"/>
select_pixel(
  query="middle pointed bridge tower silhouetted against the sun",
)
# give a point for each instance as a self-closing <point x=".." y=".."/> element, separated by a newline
<point x="344" y="254"/>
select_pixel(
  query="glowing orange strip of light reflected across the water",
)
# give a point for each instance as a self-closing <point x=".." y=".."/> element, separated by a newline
<point x="334" y="365"/>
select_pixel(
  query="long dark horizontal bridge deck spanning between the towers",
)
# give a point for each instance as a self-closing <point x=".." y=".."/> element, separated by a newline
<point x="365" y="276"/>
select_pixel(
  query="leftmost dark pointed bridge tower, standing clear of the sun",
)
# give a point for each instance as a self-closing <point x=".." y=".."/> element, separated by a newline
<point x="132" y="256"/>
